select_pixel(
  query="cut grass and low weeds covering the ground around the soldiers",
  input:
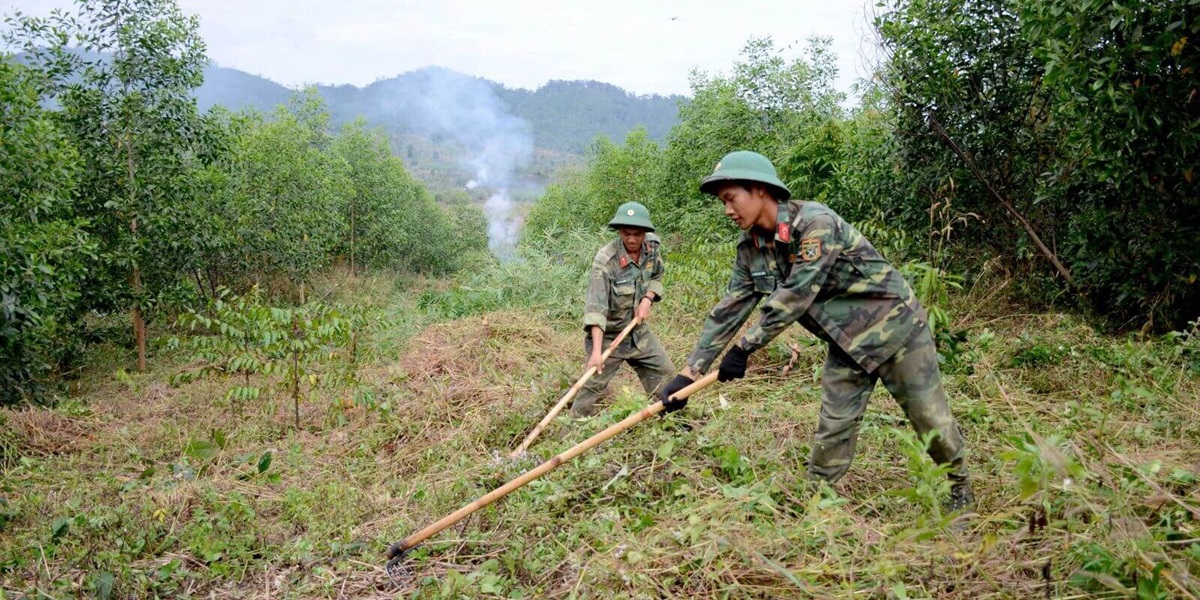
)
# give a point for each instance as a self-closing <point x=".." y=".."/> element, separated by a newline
<point x="1084" y="451"/>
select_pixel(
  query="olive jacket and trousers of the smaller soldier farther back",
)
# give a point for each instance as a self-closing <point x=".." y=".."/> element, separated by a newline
<point x="616" y="286"/>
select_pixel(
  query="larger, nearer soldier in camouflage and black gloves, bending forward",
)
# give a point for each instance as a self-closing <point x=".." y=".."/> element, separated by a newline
<point x="814" y="268"/>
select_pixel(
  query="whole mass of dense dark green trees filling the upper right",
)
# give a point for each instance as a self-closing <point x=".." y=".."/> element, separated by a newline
<point x="1071" y="129"/>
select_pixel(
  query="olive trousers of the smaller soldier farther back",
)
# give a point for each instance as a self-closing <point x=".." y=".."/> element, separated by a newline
<point x="643" y="351"/>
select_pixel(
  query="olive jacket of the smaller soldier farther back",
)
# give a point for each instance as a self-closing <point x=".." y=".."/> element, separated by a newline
<point x="617" y="284"/>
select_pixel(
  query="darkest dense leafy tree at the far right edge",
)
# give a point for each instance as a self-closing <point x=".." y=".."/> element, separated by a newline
<point x="1124" y="79"/>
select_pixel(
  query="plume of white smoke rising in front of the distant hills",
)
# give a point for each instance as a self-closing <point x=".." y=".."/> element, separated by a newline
<point x="467" y="110"/>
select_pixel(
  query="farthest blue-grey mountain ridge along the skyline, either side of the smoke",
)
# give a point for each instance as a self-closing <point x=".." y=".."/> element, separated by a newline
<point x="565" y="117"/>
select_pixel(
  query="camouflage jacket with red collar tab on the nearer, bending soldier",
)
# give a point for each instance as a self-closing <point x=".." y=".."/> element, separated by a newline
<point x="820" y="272"/>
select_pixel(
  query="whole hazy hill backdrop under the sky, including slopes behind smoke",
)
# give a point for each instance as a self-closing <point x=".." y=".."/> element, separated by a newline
<point x="453" y="129"/>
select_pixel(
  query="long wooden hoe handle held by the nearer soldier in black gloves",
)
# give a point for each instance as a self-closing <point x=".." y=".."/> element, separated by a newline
<point x="547" y="467"/>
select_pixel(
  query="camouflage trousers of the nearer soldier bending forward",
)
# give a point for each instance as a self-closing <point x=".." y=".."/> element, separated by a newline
<point x="913" y="377"/>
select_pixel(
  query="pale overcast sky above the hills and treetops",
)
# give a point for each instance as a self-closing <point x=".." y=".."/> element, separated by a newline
<point x="646" y="47"/>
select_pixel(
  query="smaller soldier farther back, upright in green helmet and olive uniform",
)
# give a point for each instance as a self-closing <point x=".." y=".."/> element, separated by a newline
<point x="627" y="280"/>
